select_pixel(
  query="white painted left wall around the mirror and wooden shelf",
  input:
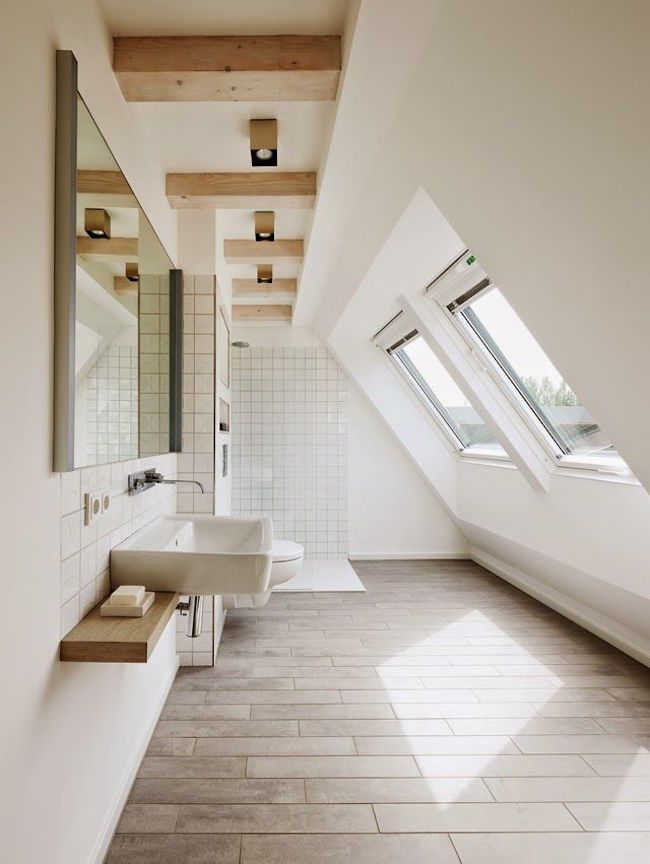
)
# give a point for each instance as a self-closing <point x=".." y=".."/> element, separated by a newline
<point x="71" y="733"/>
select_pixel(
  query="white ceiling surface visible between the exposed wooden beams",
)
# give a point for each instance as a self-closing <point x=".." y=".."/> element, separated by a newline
<point x="213" y="136"/>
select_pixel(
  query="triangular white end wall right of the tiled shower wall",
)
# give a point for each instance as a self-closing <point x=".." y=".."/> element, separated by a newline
<point x="393" y="512"/>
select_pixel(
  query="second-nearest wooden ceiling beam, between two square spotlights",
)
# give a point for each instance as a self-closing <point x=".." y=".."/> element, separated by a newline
<point x="250" y="190"/>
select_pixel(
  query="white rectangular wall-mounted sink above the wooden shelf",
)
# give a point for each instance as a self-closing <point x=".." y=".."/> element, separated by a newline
<point x="196" y="555"/>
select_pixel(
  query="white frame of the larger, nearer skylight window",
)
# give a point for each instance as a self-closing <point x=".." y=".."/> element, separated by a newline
<point x="451" y="286"/>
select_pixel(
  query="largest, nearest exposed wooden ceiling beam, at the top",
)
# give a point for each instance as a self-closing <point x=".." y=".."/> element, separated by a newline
<point x="227" y="68"/>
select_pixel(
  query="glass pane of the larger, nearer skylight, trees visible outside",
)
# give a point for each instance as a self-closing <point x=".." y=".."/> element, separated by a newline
<point x="534" y="375"/>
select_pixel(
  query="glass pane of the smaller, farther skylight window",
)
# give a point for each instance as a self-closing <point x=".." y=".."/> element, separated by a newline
<point x="463" y="419"/>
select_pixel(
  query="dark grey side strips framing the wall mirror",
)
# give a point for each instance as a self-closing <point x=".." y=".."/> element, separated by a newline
<point x="65" y="256"/>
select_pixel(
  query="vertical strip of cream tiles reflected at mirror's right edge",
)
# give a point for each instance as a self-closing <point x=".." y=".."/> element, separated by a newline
<point x="153" y="320"/>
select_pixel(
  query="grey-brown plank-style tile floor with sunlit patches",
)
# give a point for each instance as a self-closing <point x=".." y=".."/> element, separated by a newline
<point x="443" y="716"/>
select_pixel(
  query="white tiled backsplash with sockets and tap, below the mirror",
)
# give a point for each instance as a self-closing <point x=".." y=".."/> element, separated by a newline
<point x="85" y="549"/>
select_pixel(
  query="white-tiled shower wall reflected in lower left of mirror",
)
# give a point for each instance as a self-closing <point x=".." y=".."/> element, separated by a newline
<point x="111" y="406"/>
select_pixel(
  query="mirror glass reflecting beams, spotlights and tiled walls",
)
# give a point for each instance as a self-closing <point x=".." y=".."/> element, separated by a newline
<point x="122" y="314"/>
